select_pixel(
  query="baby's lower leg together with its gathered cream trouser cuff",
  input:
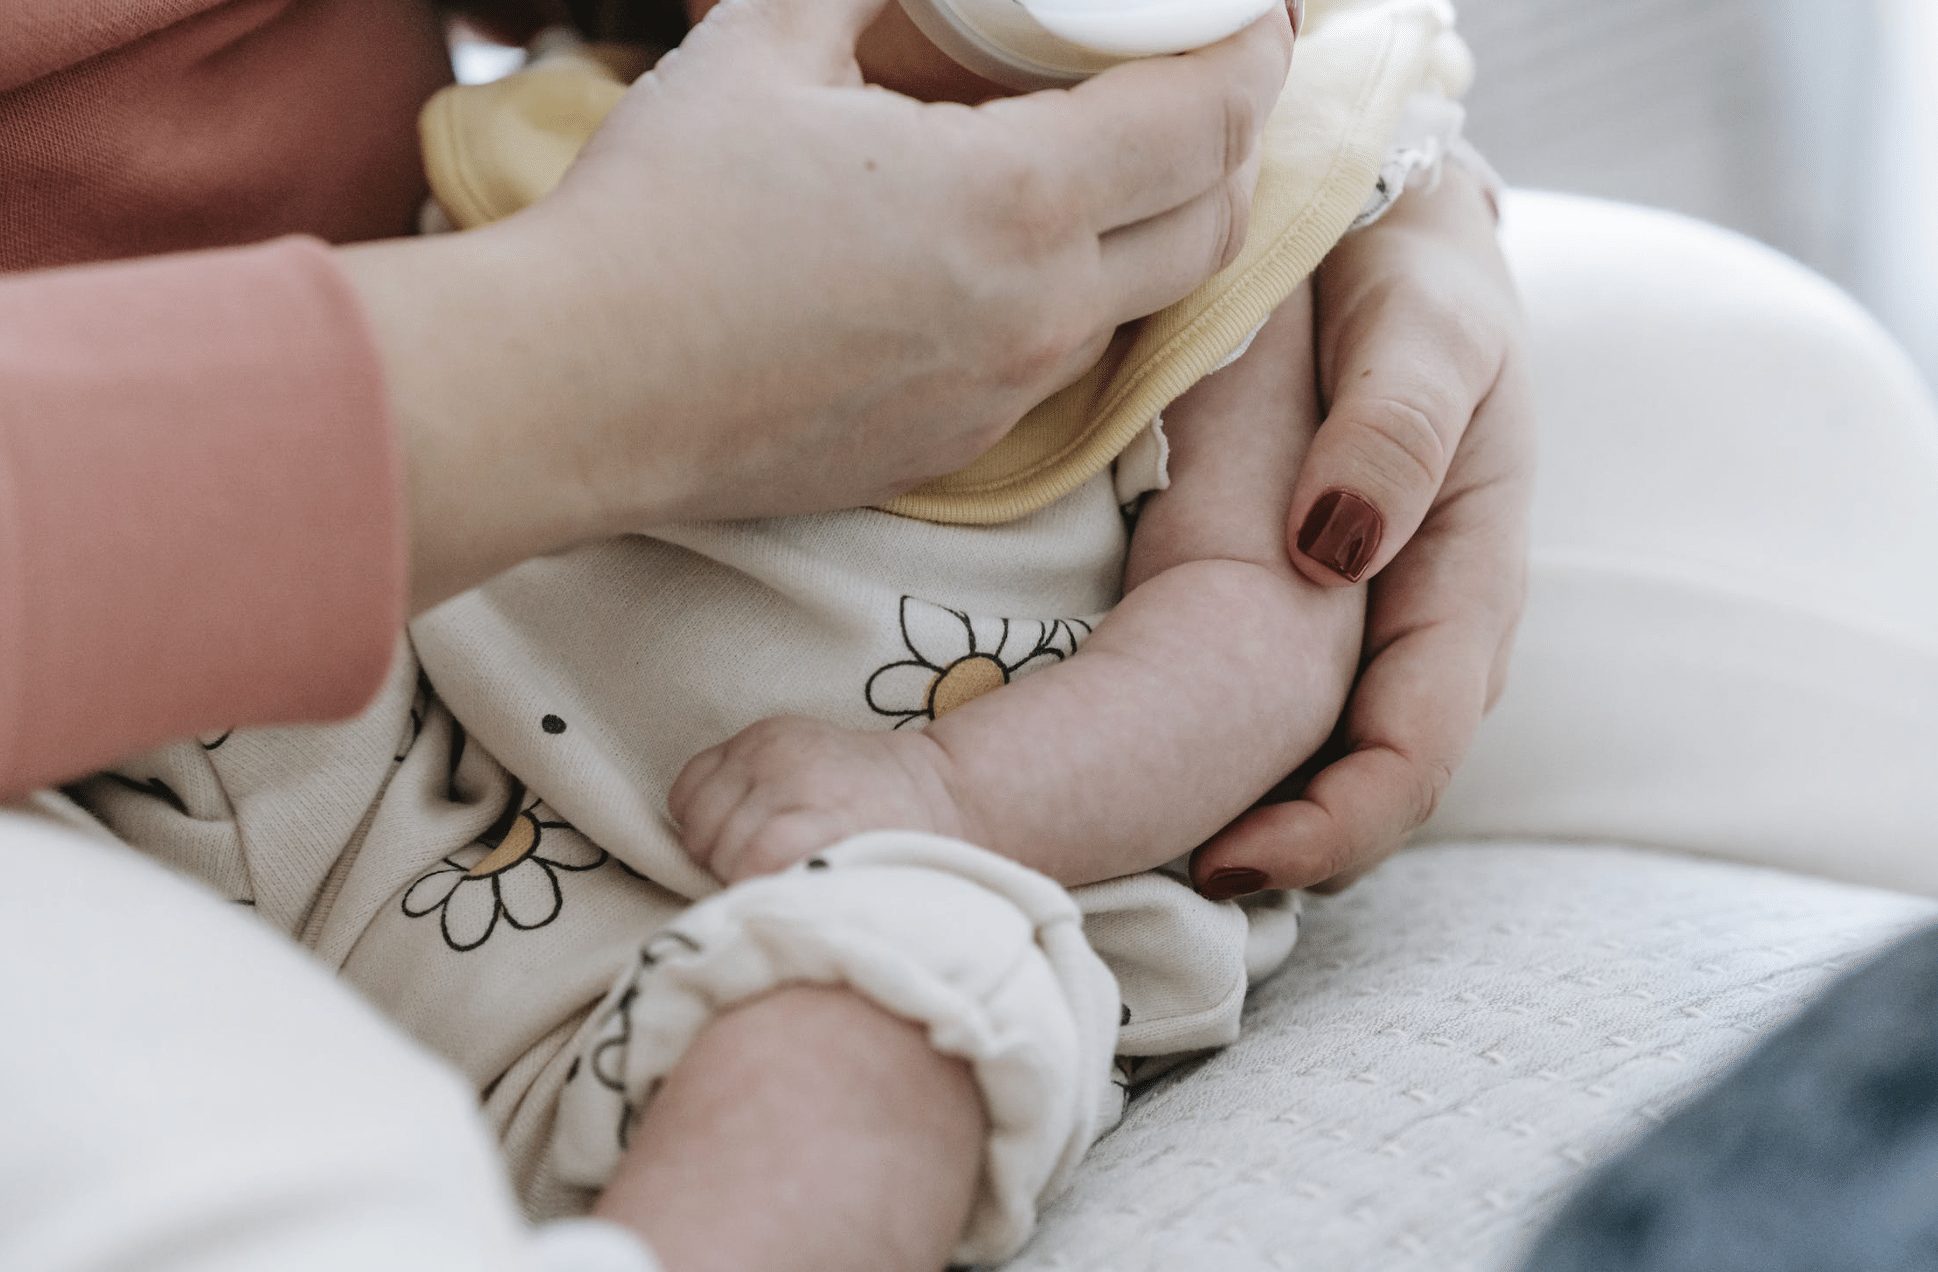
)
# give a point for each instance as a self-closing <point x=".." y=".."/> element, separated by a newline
<point x="883" y="1060"/>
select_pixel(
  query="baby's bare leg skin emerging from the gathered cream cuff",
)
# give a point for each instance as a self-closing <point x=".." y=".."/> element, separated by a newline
<point x="807" y="1129"/>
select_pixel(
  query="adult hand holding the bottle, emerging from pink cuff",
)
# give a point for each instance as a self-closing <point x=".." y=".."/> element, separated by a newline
<point x="770" y="290"/>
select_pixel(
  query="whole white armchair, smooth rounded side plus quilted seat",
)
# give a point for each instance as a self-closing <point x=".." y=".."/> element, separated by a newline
<point x="1732" y="652"/>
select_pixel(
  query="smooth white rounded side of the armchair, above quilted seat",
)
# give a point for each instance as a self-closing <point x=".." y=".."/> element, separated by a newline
<point x="1732" y="639"/>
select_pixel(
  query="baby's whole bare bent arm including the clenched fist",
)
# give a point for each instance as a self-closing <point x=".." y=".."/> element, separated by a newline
<point x="1218" y="674"/>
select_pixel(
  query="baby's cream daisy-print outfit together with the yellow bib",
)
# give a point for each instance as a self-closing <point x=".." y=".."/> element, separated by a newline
<point x="487" y="852"/>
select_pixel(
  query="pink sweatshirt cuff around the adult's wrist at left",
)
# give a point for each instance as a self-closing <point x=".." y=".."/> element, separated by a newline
<point x="201" y="505"/>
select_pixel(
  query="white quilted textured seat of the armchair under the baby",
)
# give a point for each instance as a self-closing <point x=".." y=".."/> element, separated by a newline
<point x="1456" y="1040"/>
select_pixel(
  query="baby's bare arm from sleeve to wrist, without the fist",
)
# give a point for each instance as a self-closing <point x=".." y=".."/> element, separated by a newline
<point x="1218" y="674"/>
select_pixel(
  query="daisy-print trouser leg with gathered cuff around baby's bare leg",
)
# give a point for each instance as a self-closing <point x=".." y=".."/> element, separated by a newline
<point x="569" y="988"/>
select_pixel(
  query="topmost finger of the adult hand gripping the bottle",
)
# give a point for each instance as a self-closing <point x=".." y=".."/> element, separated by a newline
<point x="1156" y="135"/>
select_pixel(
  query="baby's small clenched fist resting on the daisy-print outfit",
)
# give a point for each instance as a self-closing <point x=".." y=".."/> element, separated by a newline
<point x="788" y="788"/>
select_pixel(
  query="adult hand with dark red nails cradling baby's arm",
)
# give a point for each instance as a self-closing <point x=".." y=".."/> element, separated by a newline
<point x="1420" y="480"/>
